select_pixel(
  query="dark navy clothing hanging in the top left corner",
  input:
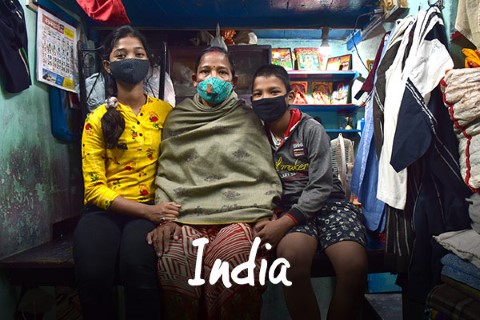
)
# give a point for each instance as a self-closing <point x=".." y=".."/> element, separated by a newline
<point x="14" y="47"/>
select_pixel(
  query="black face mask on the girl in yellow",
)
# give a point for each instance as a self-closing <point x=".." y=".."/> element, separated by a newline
<point x="129" y="70"/>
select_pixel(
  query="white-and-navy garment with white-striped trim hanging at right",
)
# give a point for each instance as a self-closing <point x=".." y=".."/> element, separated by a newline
<point x="421" y="75"/>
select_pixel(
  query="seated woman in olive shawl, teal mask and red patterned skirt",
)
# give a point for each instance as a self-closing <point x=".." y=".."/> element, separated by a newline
<point x="215" y="162"/>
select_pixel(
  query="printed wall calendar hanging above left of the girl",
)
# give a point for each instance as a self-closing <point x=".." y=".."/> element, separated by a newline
<point x="56" y="51"/>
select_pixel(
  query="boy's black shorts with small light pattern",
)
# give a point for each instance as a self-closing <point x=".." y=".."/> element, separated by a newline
<point x="338" y="220"/>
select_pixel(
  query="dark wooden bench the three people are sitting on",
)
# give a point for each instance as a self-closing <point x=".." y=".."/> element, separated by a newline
<point x="51" y="264"/>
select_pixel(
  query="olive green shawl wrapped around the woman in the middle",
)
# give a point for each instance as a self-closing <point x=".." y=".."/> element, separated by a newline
<point x="216" y="162"/>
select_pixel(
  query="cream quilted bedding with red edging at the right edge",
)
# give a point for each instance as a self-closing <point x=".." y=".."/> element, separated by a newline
<point x="461" y="94"/>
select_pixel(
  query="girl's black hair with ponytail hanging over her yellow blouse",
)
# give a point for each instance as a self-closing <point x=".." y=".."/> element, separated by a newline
<point x="113" y="123"/>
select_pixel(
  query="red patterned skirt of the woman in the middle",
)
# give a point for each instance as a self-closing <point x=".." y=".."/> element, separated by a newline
<point x="228" y="243"/>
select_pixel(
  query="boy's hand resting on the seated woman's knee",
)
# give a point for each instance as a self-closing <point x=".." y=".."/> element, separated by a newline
<point x="272" y="231"/>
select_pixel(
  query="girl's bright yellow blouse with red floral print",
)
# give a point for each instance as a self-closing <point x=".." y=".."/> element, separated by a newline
<point x="129" y="173"/>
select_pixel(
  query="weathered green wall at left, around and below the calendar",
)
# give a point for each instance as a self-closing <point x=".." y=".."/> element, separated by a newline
<point x="40" y="180"/>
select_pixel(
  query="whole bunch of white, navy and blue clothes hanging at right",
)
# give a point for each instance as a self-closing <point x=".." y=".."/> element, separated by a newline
<point x="418" y="175"/>
